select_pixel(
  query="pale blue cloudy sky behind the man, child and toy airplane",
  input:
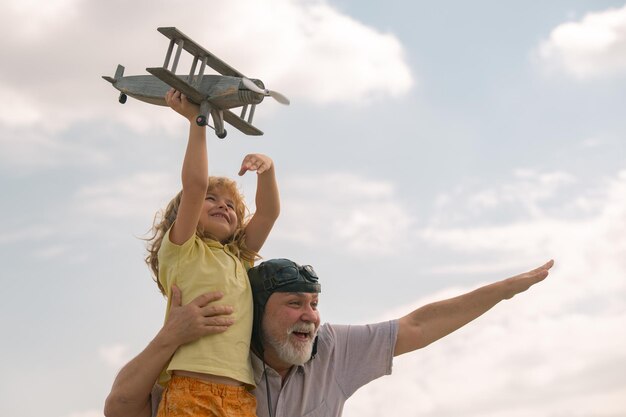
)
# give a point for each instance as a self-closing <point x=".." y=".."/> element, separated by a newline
<point x="429" y="148"/>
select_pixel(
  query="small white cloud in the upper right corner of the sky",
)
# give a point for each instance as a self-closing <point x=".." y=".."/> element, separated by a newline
<point x="590" y="48"/>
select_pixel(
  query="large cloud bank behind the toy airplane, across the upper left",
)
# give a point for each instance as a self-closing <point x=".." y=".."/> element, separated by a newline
<point x="309" y="50"/>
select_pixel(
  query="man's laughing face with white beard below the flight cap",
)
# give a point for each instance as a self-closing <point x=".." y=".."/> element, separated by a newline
<point x="290" y="325"/>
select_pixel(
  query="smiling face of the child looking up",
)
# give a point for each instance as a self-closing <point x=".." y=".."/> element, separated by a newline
<point x="218" y="217"/>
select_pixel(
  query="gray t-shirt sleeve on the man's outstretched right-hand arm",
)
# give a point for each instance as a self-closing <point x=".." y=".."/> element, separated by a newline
<point x="362" y="353"/>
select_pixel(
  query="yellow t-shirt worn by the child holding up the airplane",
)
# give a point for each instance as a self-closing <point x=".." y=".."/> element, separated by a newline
<point x="196" y="267"/>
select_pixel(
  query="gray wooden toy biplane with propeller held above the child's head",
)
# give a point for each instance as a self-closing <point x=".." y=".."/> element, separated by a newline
<point x="215" y="94"/>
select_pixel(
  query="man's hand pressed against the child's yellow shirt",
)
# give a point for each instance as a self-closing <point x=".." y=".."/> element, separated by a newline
<point x="196" y="319"/>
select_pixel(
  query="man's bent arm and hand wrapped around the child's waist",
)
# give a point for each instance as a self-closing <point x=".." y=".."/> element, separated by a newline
<point x="130" y="394"/>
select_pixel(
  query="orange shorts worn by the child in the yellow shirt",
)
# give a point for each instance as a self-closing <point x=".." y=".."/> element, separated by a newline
<point x="191" y="397"/>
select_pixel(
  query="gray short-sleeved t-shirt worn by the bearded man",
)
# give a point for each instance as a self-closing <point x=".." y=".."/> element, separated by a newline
<point x="347" y="358"/>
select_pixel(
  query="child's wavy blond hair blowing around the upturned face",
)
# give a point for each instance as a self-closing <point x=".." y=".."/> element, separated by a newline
<point x="164" y="219"/>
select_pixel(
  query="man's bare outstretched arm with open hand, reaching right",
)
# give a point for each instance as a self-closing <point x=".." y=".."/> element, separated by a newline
<point x="436" y="320"/>
